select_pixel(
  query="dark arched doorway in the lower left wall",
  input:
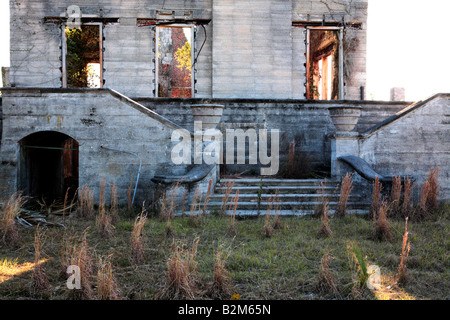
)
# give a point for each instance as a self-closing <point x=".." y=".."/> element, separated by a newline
<point x="48" y="166"/>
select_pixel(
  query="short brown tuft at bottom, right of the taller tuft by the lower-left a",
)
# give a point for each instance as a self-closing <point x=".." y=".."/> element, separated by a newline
<point x="107" y="285"/>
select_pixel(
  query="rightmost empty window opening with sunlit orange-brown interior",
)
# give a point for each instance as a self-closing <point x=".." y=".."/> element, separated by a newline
<point x="324" y="64"/>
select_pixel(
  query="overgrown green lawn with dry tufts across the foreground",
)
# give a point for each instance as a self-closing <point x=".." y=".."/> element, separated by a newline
<point x="286" y="265"/>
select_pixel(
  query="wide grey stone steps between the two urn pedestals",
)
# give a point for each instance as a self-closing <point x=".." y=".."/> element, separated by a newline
<point x="295" y="197"/>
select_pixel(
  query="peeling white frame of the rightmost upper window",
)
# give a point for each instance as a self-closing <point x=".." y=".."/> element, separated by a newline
<point x="341" y="55"/>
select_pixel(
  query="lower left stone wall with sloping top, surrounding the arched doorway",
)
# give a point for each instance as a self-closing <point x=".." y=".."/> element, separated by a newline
<point x="94" y="118"/>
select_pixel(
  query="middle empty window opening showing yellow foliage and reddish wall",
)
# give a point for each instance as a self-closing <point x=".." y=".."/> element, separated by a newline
<point x="174" y="49"/>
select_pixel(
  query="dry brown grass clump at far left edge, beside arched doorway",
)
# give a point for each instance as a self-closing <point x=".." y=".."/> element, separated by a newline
<point x="8" y="215"/>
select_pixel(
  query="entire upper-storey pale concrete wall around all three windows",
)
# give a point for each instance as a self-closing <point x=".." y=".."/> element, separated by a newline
<point x="251" y="49"/>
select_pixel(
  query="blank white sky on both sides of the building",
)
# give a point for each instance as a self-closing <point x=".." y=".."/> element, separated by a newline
<point x="408" y="46"/>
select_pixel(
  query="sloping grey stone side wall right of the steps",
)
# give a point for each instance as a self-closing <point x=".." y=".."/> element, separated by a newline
<point x="413" y="143"/>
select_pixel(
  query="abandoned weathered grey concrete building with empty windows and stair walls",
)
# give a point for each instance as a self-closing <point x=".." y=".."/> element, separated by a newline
<point x="96" y="89"/>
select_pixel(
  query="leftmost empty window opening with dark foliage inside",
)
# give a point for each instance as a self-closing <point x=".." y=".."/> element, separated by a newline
<point x="83" y="57"/>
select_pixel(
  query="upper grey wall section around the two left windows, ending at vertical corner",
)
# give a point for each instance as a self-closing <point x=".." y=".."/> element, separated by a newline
<point x="128" y="59"/>
